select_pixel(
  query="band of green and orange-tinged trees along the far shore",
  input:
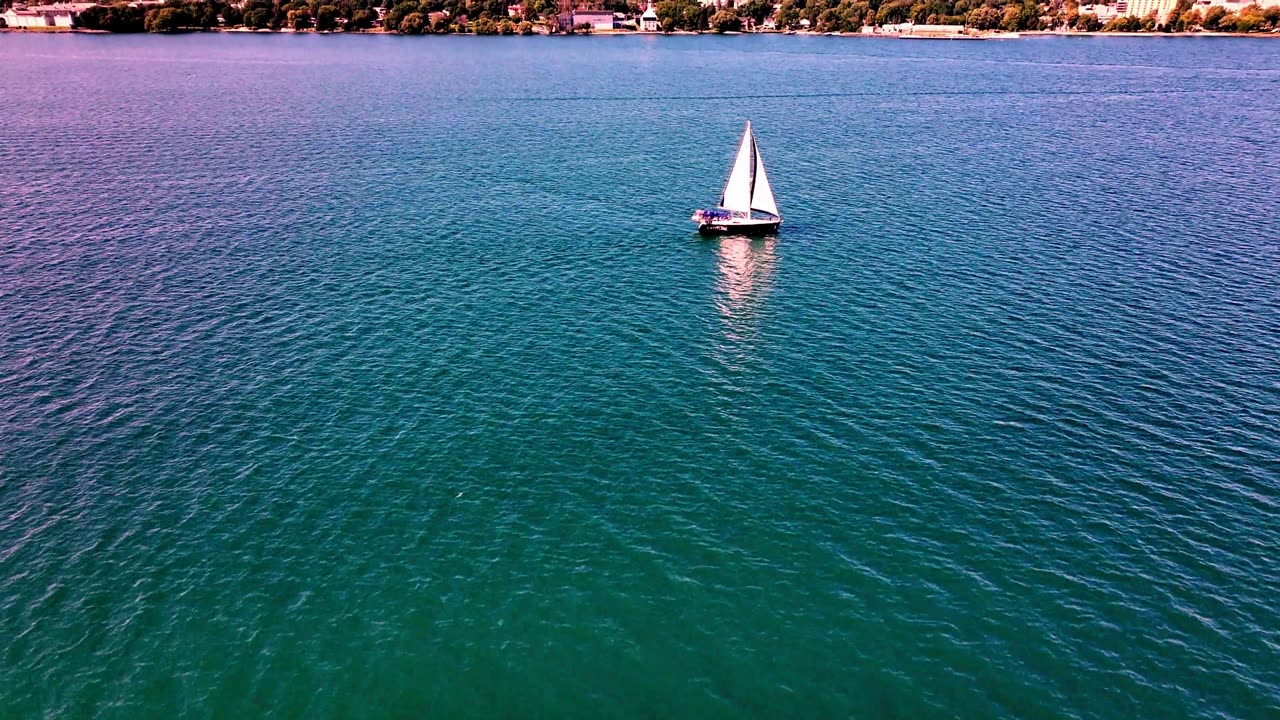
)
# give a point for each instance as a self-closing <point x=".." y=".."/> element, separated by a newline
<point x="499" y="17"/>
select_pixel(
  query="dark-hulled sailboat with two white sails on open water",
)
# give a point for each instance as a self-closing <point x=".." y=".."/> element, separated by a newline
<point x="747" y="206"/>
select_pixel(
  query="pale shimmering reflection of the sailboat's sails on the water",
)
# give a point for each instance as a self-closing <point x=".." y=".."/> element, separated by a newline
<point x="746" y="277"/>
